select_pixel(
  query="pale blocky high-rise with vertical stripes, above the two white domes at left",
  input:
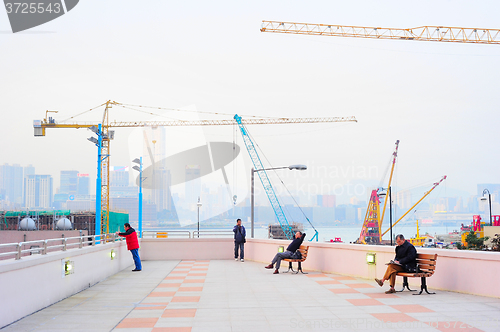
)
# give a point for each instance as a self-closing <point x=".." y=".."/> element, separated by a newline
<point x="38" y="191"/>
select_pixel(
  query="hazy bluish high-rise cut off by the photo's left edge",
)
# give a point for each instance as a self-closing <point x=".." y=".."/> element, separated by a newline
<point x="11" y="184"/>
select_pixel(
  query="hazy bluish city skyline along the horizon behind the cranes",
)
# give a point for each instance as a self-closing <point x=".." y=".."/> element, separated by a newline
<point x="73" y="183"/>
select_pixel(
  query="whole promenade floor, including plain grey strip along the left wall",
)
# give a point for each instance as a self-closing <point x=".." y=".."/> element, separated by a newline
<point x="225" y="295"/>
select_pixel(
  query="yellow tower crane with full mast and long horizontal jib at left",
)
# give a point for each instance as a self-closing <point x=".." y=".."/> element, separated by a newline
<point x="40" y="127"/>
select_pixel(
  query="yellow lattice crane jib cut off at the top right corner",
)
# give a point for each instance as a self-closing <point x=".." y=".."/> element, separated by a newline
<point x="424" y="33"/>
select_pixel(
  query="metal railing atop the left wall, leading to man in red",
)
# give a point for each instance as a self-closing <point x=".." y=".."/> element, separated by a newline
<point x="43" y="246"/>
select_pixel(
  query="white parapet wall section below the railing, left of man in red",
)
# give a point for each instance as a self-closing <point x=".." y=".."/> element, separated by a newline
<point x="37" y="281"/>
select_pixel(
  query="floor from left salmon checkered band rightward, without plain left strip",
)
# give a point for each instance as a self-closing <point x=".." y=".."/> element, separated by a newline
<point x="333" y="302"/>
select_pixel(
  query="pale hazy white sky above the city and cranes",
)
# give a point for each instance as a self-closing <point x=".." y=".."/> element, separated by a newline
<point x="440" y="99"/>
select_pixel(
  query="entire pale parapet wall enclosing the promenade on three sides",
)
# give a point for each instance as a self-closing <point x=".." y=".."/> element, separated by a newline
<point x="37" y="281"/>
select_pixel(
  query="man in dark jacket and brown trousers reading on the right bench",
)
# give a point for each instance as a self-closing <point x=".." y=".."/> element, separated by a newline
<point x="405" y="260"/>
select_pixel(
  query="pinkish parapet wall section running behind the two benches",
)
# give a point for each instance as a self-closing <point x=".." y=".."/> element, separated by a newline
<point x="465" y="271"/>
